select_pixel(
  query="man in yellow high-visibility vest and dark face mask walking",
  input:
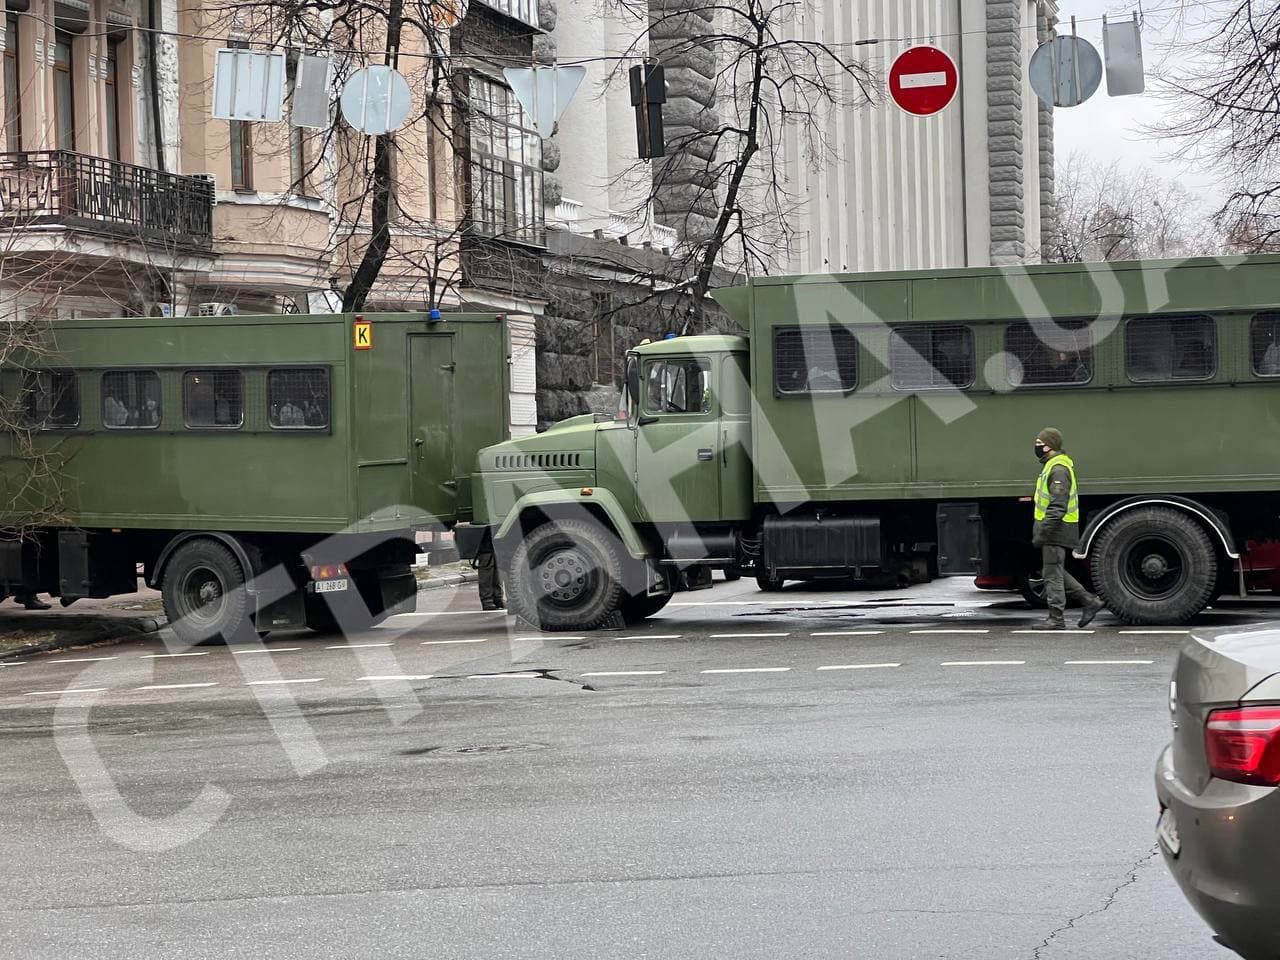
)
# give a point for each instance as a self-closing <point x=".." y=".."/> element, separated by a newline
<point x="1058" y="529"/>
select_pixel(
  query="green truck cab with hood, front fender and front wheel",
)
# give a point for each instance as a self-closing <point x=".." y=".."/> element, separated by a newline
<point x="600" y="522"/>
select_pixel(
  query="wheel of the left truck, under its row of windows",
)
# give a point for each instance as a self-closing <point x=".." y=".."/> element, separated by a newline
<point x="203" y="593"/>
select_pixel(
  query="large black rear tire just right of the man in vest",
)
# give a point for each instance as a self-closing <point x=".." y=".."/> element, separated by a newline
<point x="1155" y="565"/>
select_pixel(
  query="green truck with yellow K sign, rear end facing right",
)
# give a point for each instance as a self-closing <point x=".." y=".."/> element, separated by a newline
<point x="263" y="472"/>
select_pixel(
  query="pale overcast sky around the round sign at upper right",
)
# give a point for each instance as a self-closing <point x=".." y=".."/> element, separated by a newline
<point x="1110" y="129"/>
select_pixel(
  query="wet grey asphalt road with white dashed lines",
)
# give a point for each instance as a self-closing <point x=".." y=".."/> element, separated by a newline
<point x="820" y="775"/>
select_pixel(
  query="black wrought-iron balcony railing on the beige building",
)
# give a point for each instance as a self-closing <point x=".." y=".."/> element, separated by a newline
<point x="106" y="198"/>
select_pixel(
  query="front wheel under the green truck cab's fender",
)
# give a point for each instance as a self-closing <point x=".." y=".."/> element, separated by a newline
<point x="566" y="575"/>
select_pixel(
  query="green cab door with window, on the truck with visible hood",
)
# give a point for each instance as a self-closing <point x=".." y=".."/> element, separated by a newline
<point x="679" y="442"/>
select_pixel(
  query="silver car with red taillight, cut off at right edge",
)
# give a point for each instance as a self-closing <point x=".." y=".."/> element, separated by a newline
<point x="1219" y="785"/>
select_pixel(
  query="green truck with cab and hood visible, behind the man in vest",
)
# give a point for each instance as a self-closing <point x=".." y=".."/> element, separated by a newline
<point x="883" y="427"/>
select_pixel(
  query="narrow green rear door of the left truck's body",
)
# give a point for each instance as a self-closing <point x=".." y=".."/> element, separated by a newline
<point x="435" y="477"/>
